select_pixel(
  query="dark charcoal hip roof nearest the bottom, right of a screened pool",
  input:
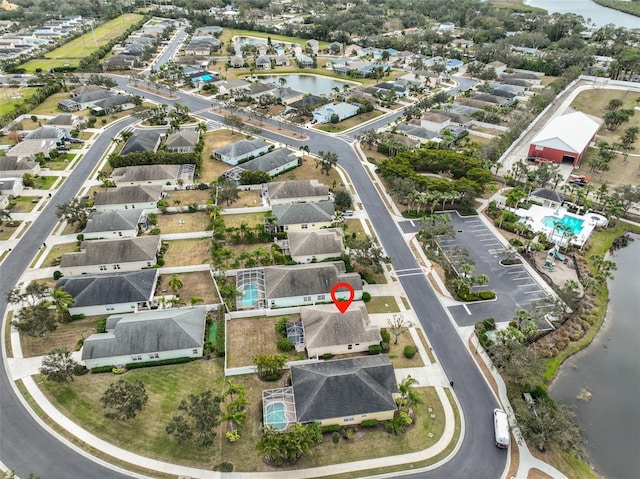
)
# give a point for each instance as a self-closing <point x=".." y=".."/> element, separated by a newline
<point x="347" y="387"/>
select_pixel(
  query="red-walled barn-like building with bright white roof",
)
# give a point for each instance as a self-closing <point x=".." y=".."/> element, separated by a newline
<point x="564" y="139"/>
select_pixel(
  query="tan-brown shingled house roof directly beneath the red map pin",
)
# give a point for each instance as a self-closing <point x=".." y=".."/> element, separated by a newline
<point x="325" y="326"/>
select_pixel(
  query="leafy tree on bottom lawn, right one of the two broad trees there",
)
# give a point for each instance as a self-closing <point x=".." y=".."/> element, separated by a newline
<point x="197" y="419"/>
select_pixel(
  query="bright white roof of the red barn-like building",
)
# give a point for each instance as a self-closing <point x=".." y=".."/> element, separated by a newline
<point x="571" y="132"/>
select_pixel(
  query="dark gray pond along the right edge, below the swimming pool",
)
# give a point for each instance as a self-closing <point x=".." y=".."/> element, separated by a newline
<point x="609" y="370"/>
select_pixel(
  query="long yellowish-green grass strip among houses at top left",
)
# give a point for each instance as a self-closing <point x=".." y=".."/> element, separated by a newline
<point x="72" y="52"/>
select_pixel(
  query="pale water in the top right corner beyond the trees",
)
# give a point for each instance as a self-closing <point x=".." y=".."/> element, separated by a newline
<point x="588" y="9"/>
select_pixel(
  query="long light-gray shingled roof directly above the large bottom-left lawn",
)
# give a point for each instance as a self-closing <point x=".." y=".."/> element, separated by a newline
<point x="148" y="332"/>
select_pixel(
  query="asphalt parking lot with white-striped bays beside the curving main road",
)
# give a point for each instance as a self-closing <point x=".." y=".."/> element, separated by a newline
<point x="515" y="288"/>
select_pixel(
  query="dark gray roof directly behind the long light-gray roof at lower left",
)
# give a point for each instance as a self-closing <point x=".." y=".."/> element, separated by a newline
<point x="116" y="288"/>
